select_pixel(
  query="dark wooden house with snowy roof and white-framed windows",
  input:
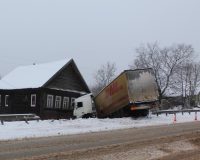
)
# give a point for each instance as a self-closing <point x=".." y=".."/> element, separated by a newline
<point x="47" y="89"/>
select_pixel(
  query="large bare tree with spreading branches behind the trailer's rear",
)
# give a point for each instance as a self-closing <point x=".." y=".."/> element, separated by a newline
<point x="163" y="61"/>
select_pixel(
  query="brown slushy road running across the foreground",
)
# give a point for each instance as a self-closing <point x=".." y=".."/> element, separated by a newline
<point x="176" y="141"/>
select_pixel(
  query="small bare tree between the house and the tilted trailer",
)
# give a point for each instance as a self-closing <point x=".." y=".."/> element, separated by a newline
<point x="103" y="76"/>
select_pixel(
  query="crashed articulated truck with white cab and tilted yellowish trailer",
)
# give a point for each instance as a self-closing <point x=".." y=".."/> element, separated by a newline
<point x="132" y="93"/>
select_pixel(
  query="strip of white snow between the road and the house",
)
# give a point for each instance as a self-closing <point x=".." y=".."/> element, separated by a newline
<point x="20" y="130"/>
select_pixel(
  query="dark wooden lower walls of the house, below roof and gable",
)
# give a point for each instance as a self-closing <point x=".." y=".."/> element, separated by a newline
<point x="20" y="102"/>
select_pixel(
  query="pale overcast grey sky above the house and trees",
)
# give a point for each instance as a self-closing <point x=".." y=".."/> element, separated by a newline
<point x="92" y="31"/>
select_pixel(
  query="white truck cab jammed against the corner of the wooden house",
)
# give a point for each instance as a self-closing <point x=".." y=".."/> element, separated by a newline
<point x="84" y="106"/>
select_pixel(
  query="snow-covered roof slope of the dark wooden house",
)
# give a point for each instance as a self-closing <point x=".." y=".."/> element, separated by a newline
<point x="31" y="76"/>
